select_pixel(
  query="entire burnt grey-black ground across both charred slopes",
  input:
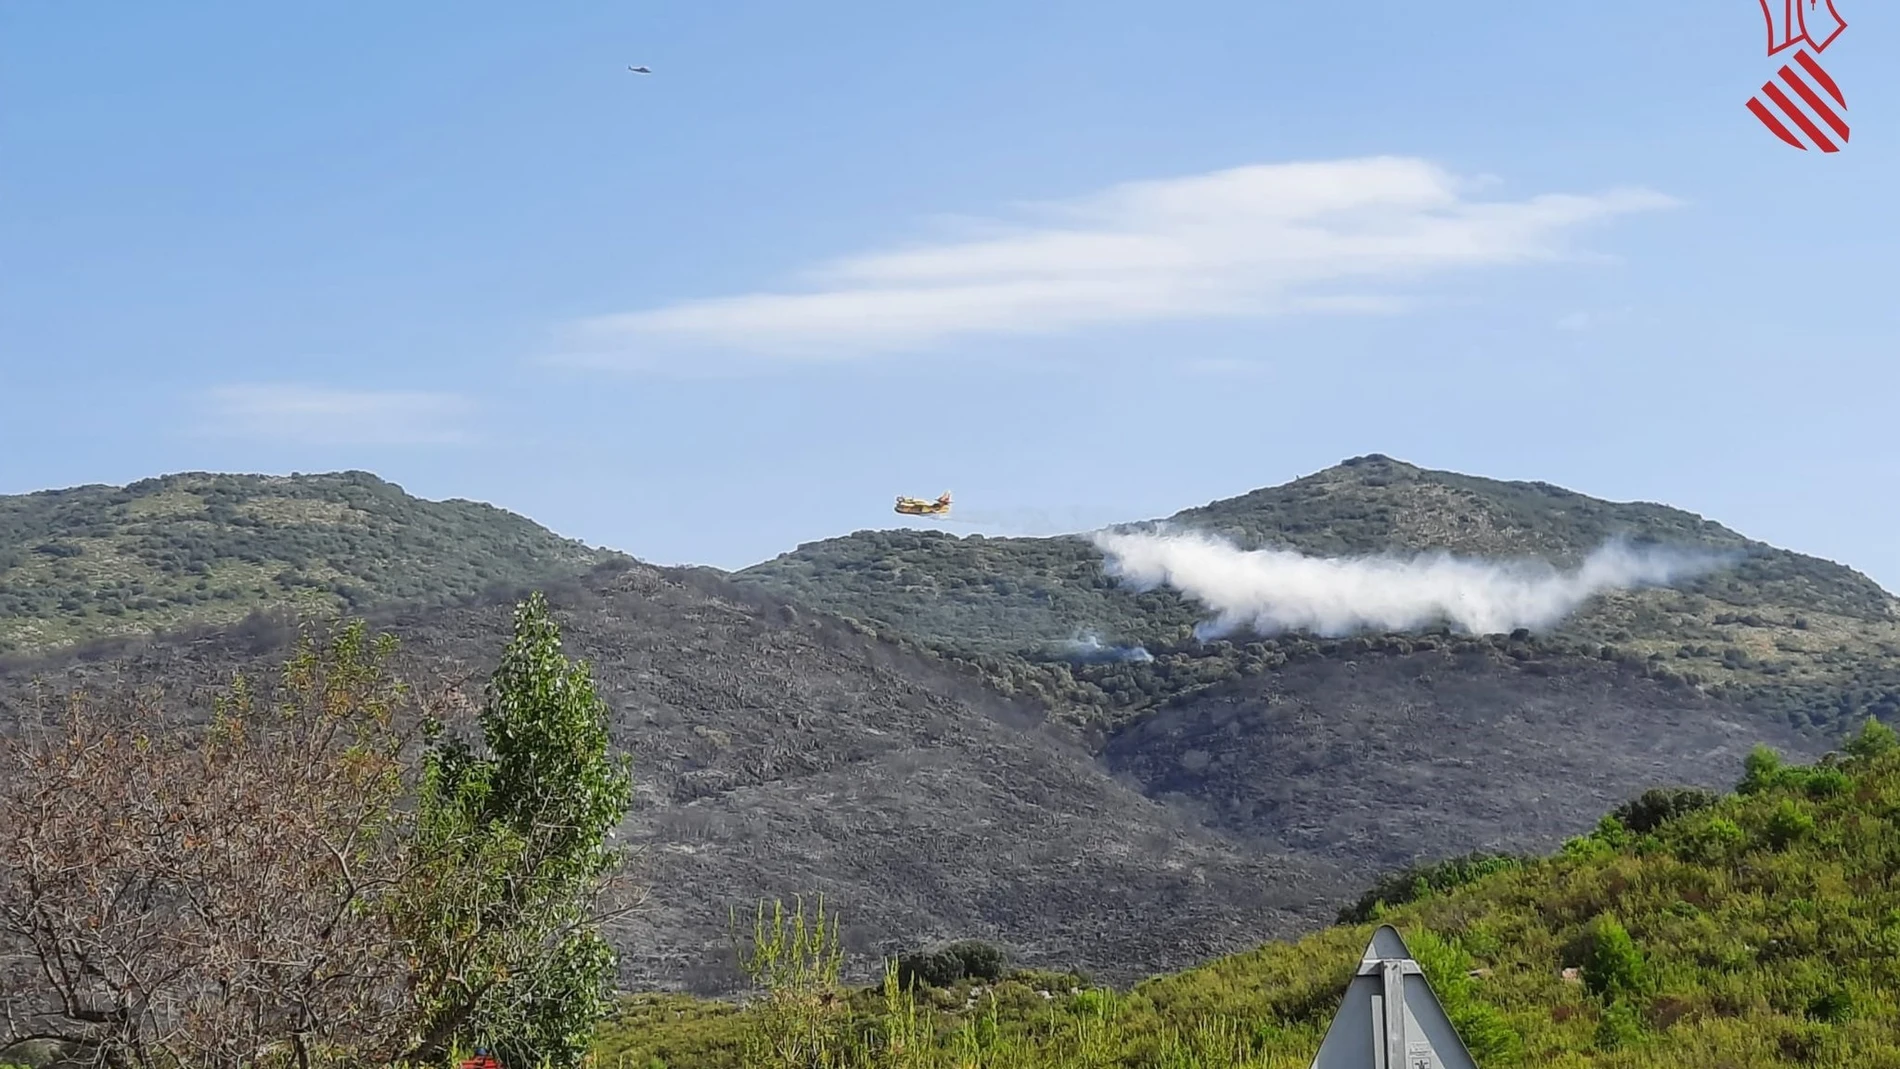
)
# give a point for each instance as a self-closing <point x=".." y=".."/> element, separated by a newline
<point x="784" y="753"/>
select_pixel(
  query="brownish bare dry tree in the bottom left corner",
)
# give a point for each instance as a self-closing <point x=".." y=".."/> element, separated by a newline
<point x="235" y="893"/>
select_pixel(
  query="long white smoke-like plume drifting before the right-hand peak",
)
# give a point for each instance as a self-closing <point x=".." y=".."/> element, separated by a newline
<point x="1276" y="590"/>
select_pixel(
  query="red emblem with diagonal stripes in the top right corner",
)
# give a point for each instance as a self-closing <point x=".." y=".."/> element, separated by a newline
<point x="1795" y="105"/>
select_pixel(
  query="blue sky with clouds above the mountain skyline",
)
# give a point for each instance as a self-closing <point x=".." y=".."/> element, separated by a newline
<point x="1078" y="263"/>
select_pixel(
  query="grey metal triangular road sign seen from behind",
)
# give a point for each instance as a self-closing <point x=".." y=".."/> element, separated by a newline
<point x="1390" y="1017"/>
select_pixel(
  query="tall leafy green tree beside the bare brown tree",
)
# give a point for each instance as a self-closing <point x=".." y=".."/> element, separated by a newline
<point x="508" y="928"/>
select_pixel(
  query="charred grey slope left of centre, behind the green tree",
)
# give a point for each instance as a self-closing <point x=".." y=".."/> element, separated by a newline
<point x="782" y="753"/>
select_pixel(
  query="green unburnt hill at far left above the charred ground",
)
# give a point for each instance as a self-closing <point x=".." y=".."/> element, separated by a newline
<point x="100" y="561"/>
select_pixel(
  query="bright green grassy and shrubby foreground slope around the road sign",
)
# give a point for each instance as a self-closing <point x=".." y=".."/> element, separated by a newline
<point x="1686" y="931"/>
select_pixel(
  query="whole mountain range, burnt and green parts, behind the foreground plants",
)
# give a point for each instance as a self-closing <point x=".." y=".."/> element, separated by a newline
<point x="962" y="774"/>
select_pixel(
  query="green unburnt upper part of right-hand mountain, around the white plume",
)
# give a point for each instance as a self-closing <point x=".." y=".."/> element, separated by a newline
<point x="1785" y="635"/>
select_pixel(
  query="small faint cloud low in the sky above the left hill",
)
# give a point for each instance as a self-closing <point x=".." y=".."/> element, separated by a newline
<point x="314" y="415"/>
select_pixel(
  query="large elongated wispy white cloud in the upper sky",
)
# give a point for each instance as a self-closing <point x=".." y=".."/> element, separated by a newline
<point x="1263" y="240"/>
